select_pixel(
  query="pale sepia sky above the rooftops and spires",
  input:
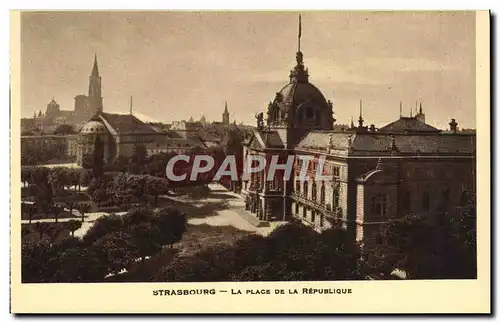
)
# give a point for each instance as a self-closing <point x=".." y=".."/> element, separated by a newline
<point x="182" y="64"/>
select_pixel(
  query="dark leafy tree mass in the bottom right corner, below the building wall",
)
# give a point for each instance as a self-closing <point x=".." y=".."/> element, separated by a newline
<point x="428" y="247"/>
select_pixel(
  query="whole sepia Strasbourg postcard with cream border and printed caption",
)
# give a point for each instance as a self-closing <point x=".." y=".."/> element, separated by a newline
<point x="333" y="162"/>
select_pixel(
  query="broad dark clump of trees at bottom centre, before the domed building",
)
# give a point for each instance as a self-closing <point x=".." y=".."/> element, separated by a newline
<point x="292" y="252"/>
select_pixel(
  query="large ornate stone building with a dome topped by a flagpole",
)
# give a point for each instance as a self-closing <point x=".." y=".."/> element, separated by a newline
<point x="373" y="174"/>
